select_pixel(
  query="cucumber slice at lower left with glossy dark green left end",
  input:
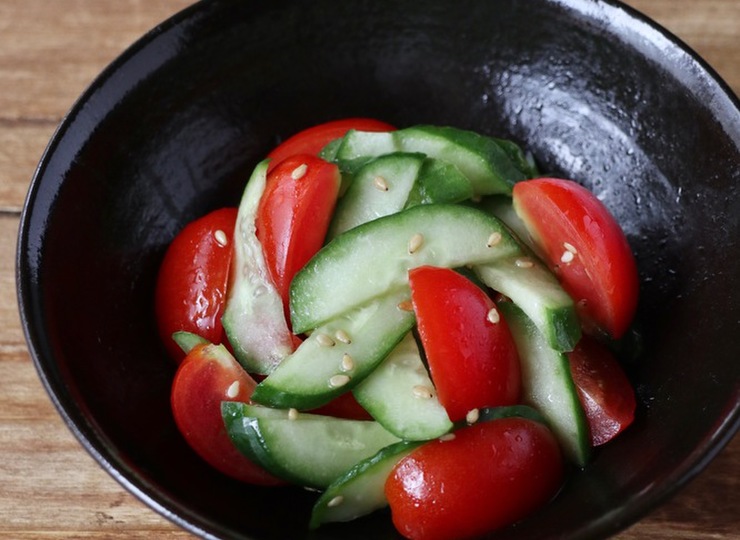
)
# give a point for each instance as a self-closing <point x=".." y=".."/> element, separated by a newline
<point x="311" y="451"/>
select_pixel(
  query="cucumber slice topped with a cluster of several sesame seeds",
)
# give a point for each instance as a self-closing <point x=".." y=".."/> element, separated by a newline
<point x="338" y="355"/>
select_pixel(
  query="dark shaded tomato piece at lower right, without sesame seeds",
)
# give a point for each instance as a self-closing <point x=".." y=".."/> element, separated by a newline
<point x="604" y="390"/>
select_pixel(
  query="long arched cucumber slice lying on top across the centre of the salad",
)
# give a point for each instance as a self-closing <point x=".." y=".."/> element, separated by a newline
<point x="365" y="262"/>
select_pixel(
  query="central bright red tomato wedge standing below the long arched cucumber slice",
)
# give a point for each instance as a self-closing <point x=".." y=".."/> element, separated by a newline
<point x="473" y="360"/>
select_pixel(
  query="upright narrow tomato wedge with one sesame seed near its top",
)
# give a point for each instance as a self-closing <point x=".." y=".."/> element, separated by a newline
<point x="294" y="214"/>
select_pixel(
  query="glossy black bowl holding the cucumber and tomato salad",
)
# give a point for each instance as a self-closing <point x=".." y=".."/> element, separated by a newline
<point x="172" y="129"/>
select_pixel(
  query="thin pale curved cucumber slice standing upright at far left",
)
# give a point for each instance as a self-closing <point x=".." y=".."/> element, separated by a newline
<point x="254" y="319"/>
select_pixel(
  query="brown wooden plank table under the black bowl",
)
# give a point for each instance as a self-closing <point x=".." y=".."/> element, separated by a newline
<point x="49" y="486"/>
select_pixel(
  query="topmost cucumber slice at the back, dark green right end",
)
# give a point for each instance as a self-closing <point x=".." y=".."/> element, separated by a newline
<point x="489" y="167"/>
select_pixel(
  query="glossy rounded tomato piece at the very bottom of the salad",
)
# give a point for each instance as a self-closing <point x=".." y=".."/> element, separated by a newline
<point x="488" y="476"/>
